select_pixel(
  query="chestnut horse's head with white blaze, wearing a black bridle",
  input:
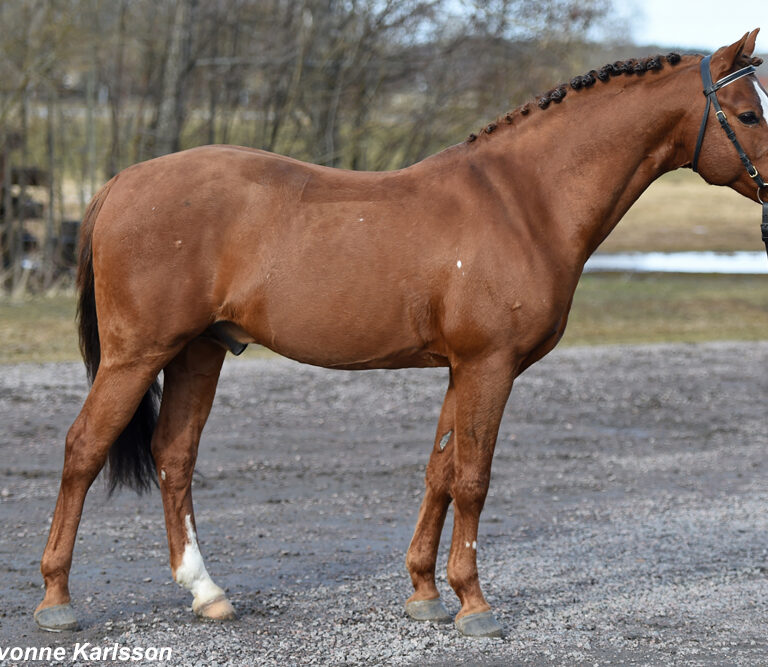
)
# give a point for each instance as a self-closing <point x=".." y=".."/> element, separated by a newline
<point x="744" y="109"/>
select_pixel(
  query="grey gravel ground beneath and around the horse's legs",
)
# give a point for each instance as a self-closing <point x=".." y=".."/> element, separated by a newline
<point x="626" y="522"/>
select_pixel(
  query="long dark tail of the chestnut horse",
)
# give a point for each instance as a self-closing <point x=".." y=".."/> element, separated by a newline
<point x="130" y="461"/>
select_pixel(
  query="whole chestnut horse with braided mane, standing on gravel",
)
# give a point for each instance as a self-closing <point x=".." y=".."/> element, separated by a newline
<point x="468" y="259"/>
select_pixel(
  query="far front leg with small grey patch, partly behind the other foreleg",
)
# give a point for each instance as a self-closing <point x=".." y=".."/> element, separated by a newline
<point x="425" y="603"/>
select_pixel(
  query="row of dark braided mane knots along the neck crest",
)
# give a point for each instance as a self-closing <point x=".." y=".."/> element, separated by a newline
<point x="604" y="74"/>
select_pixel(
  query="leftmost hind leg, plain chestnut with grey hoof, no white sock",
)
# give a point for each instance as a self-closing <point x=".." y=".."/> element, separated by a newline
<point x="112" y="401"/>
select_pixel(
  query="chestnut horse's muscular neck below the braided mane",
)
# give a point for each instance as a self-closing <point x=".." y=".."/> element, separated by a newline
<point x="576" y="168"/>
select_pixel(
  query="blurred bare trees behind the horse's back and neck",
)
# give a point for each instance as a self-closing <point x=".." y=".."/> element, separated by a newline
<point x="88" y="87"/>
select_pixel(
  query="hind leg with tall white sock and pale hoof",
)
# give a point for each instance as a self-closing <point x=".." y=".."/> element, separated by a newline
<point x="188" y="390"/>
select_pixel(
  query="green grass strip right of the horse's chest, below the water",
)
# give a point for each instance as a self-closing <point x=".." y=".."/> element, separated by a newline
<point x="648" y="308"/>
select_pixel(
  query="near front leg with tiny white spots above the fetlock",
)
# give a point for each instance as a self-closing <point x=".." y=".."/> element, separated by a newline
<point x="482" y="389"/>
